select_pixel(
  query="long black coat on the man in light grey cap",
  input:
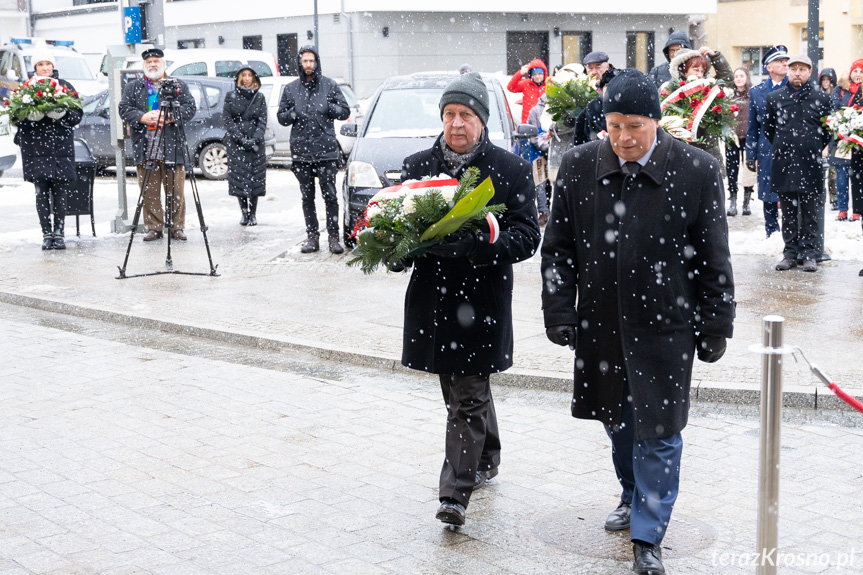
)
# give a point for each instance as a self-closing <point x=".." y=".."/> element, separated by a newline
<point x="794" y="128"/>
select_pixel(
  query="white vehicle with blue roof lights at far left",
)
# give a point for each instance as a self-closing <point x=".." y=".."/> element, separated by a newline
<point x="16" y="65"/>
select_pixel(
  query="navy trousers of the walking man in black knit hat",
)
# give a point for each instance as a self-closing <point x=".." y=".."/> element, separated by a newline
<point x="649" y="473"/>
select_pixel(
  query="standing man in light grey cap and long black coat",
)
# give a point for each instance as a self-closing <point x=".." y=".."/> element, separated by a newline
<point x="793" y="125"/>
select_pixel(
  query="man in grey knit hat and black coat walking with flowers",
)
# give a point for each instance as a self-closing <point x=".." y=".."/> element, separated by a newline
<point x="458" y="305"/>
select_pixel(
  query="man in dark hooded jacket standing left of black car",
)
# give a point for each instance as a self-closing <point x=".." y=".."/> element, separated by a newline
<point x="310" y="104"/>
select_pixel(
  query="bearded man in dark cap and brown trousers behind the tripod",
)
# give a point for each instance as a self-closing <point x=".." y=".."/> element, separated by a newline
<point x="153" y="107"/>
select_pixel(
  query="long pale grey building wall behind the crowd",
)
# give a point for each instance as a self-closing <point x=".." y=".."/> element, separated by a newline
<point x="431" y="41"/>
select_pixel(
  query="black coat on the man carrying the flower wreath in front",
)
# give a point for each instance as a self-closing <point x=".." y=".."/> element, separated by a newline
<point x="458" y="312"/>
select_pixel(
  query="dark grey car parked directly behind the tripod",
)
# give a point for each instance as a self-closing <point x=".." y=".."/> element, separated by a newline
<point x="204" y="132"/>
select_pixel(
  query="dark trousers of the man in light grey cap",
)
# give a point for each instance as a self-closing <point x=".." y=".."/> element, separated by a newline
<point x="800" y="224"/>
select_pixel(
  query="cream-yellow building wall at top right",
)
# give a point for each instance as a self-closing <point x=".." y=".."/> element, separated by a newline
<point x="744" y="23"/>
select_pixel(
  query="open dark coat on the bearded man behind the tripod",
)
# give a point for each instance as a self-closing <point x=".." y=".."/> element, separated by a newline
<point x="133" y="105"/>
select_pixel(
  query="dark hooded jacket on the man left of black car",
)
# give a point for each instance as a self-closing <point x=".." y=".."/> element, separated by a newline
<point x="310" y="107"/>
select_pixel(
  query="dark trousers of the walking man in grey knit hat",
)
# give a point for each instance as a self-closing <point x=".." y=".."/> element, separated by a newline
<point x="472" y="438"/>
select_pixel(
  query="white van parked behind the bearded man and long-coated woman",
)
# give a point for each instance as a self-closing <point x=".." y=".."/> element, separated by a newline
<point x="213" y="63"/>
